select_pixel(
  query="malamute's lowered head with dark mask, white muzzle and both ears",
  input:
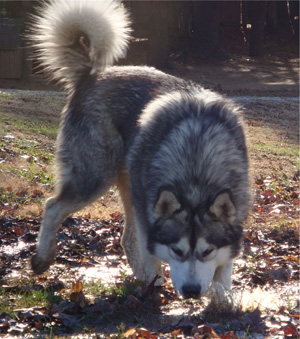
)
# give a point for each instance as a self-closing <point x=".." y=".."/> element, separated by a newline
<point x="194" y="242"/>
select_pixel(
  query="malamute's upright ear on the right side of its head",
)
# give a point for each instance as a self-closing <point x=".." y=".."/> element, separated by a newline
<point x="223" y="208"/>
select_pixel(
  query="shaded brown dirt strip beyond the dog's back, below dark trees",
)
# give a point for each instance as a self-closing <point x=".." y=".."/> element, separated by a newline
<point x="245" y="76"/>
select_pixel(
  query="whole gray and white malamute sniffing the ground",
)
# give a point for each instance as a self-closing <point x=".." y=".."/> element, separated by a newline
<point x="176" y="152"/>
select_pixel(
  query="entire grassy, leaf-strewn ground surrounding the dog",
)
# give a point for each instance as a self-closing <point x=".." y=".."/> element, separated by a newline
<point x="89" y="292"/>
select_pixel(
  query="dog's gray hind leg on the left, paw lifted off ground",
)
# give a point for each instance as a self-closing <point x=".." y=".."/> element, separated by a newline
<point x="88" y="163"/>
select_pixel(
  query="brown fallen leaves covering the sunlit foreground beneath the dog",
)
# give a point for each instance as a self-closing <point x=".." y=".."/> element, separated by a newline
<point x="65" y="302"/>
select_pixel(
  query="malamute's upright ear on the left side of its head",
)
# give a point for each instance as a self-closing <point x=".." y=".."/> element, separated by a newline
<point x="166" y="204"/>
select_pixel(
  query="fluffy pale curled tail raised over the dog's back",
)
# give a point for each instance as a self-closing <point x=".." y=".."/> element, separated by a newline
<point x="79" y="37"/>
